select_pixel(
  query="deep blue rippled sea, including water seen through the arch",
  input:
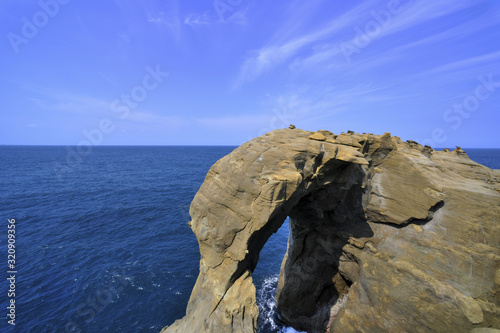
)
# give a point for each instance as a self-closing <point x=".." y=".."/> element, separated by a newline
<point x="102" y="243"/>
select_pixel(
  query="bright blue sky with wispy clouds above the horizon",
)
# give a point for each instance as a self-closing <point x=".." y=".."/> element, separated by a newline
<point x="222" y="72"/>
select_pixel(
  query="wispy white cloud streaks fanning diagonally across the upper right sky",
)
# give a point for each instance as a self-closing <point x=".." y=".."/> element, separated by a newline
<point x="319" y="48"/>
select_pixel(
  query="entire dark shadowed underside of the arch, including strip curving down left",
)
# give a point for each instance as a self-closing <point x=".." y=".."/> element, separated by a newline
<point x="316" y="273"/>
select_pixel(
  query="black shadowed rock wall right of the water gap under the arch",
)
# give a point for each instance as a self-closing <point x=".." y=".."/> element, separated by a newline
<point x="321" y="224"/>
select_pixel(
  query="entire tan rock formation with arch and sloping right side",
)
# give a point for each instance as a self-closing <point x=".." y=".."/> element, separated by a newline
<point x="385" y="236"/>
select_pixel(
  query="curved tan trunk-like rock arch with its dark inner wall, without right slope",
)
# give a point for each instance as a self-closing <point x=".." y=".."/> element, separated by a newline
<point x="245" y="198"/>
